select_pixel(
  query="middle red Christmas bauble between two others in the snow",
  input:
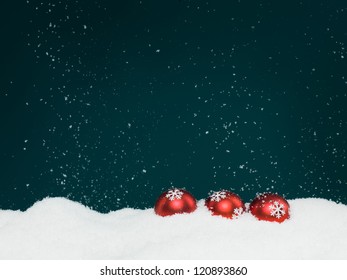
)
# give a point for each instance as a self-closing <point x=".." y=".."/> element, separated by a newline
<point x="226" y="204"/>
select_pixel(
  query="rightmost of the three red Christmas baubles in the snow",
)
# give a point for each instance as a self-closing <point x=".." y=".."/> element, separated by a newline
<point x="270" y="207"/>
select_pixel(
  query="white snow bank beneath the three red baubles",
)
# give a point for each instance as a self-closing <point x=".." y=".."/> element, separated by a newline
<point x="57" y="228"/>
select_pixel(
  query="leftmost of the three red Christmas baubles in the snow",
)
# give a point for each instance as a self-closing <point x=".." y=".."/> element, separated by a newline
<point x="175" y="201"/>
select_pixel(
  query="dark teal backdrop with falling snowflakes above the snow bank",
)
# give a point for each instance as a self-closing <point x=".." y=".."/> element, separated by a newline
<point x="109" y="103"/>
